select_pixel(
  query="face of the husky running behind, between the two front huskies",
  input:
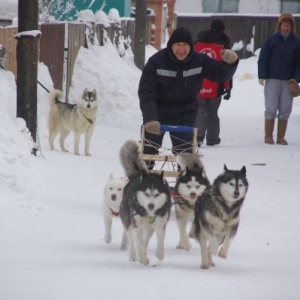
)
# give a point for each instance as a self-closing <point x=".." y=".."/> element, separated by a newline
<point x="191" y="185"/>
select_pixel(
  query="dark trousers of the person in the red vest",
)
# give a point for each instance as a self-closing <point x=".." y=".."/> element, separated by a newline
<point x="207" y="120"/>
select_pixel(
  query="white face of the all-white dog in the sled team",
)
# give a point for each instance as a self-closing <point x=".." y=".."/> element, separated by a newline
<point x="114" y="191"/>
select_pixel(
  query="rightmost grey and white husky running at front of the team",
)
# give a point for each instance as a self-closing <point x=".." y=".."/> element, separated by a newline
<point x="217" y="214"/>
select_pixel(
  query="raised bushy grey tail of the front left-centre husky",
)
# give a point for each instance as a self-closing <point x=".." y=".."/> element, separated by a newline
<point x="131" y="160"/>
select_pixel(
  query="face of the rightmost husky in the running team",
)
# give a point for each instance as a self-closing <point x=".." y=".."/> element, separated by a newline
<point x="233" y="185"/>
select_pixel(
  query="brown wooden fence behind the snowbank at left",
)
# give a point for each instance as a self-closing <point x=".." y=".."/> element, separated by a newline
<point x="61" y="42"/>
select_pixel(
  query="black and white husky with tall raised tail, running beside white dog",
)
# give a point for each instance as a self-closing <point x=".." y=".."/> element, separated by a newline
<point x="145" y="207"/>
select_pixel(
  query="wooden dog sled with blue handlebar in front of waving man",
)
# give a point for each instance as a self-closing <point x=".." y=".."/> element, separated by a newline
<point x="165" y="160"/>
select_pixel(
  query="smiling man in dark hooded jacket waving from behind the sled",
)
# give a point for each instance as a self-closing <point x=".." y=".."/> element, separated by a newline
<point x="169" y="84"/>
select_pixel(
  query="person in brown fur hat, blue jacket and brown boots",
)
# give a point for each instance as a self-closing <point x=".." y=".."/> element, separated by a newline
<point x="279" y="61"/>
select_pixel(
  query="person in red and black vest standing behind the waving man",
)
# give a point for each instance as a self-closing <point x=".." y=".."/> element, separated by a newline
<point x="209" y="99"/>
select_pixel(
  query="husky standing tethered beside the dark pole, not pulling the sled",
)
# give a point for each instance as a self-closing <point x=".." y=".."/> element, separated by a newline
<point x="78" y="118"/>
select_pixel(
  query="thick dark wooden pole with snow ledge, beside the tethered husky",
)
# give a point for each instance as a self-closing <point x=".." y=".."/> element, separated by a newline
<point x="27" y="64"/>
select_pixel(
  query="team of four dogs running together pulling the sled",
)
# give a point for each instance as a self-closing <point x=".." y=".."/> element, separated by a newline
<point x="143" y="201"/>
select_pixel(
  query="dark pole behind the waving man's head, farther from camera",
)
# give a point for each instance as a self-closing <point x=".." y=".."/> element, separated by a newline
<point x="140" y="33"/>
